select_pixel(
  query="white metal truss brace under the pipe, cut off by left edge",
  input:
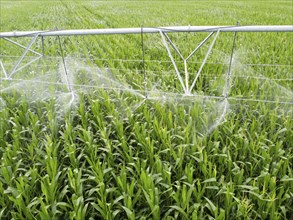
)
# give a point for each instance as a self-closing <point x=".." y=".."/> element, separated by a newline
<point x="27" y="49"/>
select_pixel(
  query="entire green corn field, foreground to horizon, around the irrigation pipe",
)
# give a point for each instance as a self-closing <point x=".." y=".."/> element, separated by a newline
<point x="114" y="155"/>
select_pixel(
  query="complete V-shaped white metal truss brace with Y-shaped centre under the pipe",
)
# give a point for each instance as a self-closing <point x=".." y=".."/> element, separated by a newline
<point x="185" y="85"/>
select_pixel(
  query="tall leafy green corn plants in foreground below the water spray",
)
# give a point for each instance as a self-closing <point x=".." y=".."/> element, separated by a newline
<point x="103" y="163"/>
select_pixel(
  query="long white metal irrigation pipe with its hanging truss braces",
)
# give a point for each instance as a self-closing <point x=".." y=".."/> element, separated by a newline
<point x="212" y="32"/>
